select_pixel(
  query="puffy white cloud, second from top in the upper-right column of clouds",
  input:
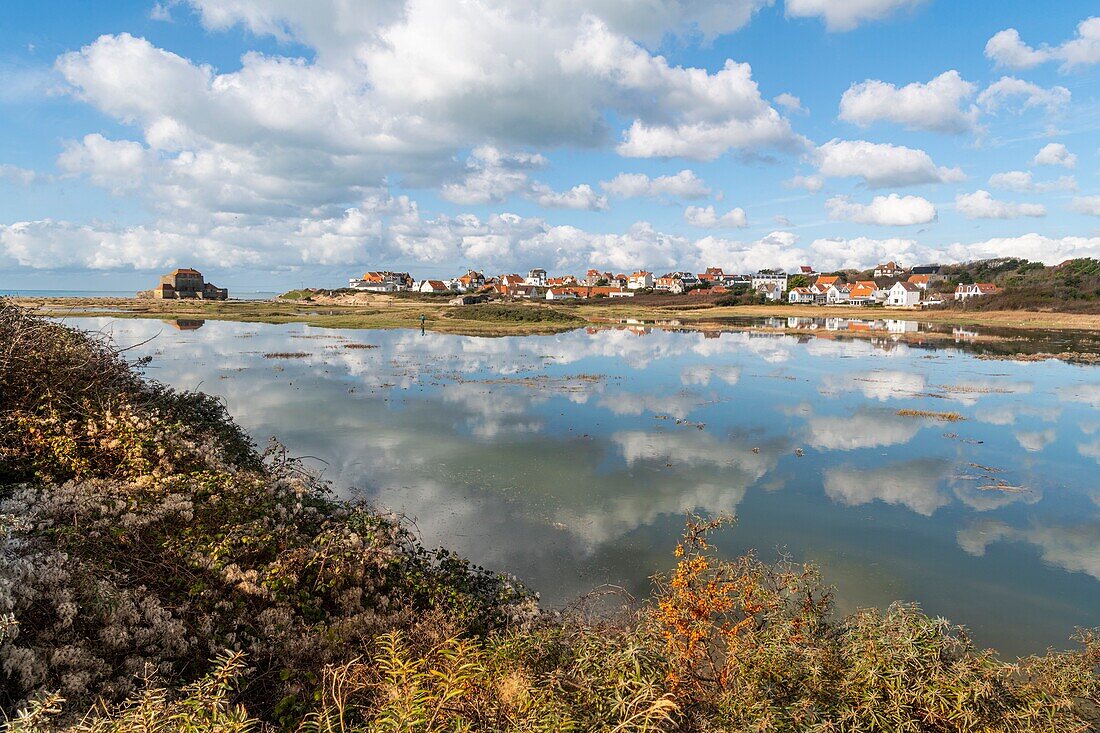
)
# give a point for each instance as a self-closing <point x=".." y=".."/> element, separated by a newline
<point x="938" y="106"/>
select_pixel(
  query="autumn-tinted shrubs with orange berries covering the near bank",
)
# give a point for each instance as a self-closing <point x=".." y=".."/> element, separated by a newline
<point x="160" y="574"/>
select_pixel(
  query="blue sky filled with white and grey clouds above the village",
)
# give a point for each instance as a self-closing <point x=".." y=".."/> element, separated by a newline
<point x="279" y="144"/>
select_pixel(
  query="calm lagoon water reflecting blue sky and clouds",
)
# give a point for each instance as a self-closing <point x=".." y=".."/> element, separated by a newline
<point x="571" y="461"/>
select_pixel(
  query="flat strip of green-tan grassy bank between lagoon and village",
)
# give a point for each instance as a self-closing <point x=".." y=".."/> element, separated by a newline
<point x="366" y="311"/>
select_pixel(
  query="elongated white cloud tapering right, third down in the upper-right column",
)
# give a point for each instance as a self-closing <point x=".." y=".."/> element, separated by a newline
<point x="882" y="166"/>
